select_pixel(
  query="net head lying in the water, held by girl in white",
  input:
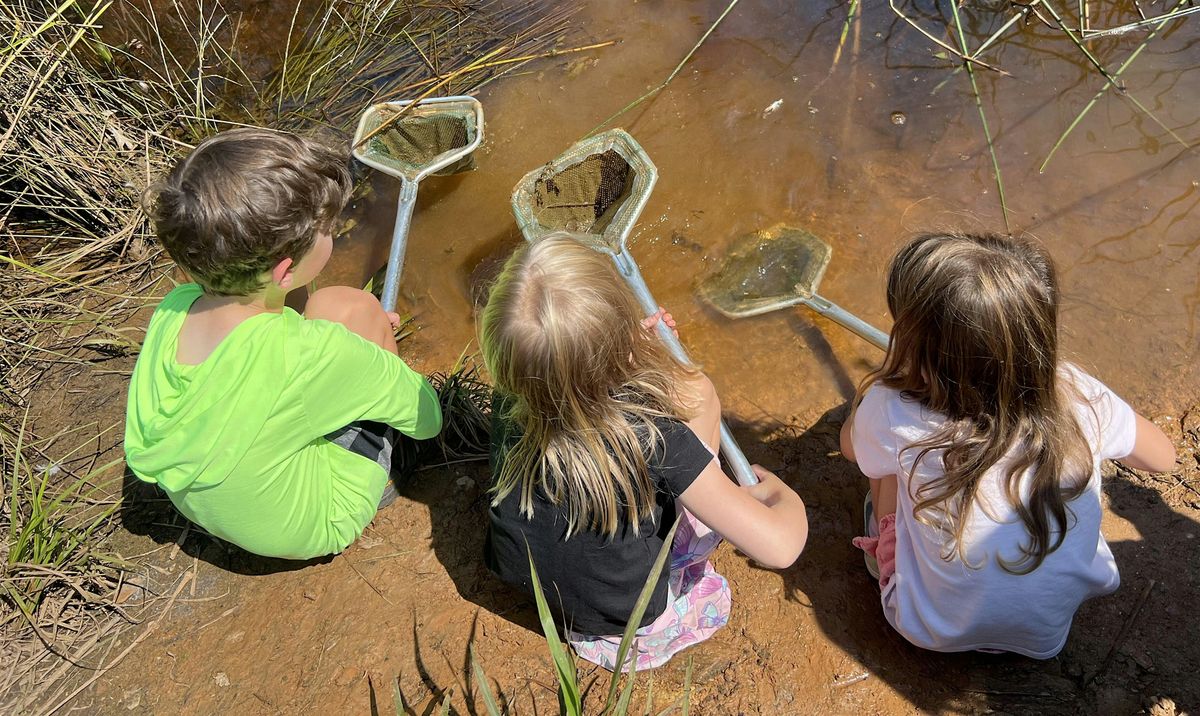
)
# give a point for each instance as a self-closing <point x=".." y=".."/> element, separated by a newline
<point x="767" y="270"/>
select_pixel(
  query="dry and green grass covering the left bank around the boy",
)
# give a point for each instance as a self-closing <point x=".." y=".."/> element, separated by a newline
<point x="87" y="123"/>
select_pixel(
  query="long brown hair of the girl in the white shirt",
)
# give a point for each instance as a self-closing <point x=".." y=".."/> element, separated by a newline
<point x="976" y="339"/>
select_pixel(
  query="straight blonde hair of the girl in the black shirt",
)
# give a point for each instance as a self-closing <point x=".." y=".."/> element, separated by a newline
<point x="584" y="383"/>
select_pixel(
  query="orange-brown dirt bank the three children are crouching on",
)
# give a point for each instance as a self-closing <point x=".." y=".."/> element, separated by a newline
<point x="247" y="635"/>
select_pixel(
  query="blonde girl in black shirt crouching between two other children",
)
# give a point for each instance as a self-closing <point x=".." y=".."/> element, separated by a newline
<point x="601" y="440"/>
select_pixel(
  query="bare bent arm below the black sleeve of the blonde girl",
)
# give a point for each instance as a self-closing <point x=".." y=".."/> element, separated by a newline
<point x="765" y="521"/>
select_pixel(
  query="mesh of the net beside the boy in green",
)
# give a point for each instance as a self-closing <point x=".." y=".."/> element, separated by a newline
<point x="418" y="140"/>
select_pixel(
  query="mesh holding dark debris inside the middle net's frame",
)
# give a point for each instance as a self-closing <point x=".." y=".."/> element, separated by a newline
<point x="586" y="196"/>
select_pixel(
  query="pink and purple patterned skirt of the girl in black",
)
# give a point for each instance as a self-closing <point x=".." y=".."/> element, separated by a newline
<point x="698" y="605"/>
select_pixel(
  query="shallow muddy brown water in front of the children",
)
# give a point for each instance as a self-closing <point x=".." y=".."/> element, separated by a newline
<point x="761" y="129"/>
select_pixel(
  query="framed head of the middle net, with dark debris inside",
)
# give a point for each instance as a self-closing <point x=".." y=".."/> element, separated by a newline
<point x="597" y="190"/>
